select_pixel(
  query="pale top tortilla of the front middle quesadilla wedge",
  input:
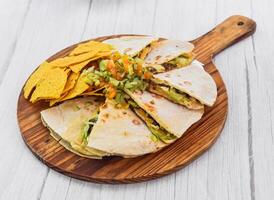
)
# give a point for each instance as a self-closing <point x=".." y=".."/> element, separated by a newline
<point x="121" y="132"/>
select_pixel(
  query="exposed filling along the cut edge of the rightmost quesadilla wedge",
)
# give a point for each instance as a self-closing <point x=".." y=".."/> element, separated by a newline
<point x="175" y="95"/>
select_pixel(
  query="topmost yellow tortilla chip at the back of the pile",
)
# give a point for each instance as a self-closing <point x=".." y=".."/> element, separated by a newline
<point x="90" y="46"/>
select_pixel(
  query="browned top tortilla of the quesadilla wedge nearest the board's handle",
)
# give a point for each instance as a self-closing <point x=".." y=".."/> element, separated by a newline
<point x="167" y="50"/>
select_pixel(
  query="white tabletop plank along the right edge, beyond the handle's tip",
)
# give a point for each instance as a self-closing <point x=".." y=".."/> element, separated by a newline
<point x="259" y="58"/>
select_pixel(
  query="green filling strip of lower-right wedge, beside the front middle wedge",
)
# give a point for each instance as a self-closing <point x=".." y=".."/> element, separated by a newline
<point x="158" y="133"/>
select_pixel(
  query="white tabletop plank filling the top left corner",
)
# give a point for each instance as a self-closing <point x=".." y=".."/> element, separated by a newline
<point x="12" y="21"/>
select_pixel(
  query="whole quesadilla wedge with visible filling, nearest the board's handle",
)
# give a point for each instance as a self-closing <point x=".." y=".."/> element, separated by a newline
<point x="169" y="54"/>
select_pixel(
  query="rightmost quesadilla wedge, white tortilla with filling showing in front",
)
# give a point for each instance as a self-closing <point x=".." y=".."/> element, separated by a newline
<point x="190" y="86"/>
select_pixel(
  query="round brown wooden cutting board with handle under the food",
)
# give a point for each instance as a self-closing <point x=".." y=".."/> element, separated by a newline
<point x="194" y="142"/>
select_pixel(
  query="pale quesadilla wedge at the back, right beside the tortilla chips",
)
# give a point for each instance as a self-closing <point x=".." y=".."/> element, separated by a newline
<point x="131" y="45"/>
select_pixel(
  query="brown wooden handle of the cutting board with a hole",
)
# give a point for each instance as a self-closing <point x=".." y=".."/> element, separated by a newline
<point x="230" y="31"/>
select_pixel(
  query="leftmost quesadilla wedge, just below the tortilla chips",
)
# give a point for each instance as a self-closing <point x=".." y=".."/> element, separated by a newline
<point x="66" y="122"/>
